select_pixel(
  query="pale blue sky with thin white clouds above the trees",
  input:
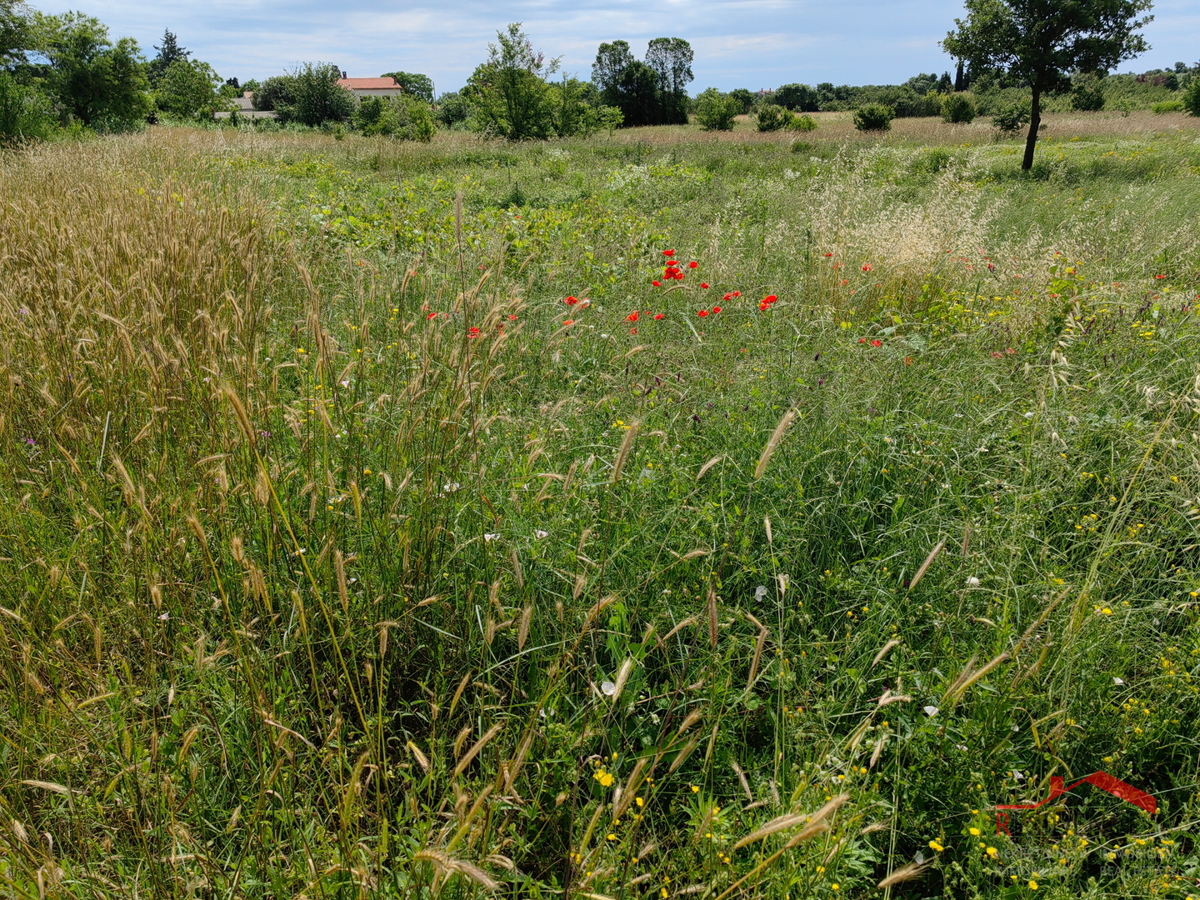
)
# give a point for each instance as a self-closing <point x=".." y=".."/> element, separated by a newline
<point x="739" y="44"/>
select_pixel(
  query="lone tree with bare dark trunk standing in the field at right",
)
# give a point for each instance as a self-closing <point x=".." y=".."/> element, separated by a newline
<point x="1042" y="41"/>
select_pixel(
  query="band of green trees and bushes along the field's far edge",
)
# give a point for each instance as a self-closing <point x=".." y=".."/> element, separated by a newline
<point x="67" y="73"/>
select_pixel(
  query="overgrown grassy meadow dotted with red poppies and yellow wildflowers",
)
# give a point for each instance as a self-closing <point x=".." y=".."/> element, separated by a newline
<point x="385" y="520"/>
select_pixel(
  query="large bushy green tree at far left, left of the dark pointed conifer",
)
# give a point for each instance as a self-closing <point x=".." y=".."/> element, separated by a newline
<point x="97" y="82"/>
